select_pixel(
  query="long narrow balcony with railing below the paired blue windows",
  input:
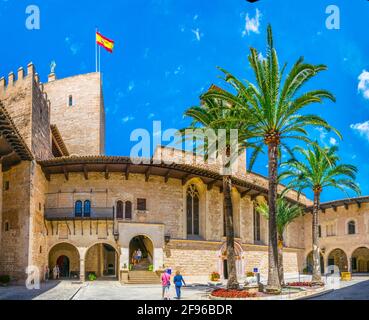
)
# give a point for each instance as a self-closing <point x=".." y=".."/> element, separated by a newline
<point x="55" y="214"/>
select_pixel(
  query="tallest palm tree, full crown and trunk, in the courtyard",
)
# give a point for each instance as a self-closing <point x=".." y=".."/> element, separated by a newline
<point x="273" y="108"/>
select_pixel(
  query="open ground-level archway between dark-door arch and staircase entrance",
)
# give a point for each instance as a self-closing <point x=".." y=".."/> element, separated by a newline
<point x="101" y="260"/>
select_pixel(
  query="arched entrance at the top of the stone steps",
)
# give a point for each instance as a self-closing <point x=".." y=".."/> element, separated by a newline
<point x="141" y="246"/>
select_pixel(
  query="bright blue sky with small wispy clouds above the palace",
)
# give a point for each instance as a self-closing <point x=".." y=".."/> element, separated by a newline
<point x="167" y="52"/>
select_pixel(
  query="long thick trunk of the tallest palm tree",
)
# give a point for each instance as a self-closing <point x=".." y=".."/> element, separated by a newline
<point x="273" y="285"/>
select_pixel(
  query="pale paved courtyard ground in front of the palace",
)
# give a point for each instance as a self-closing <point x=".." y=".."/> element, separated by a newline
<point x="358" y="288"/>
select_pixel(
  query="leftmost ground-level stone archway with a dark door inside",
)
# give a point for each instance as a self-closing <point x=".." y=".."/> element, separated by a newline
<point x="66" y="257"/>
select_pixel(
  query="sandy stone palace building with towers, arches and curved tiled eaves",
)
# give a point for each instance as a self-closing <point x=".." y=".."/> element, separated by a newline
<point x="63" y="202"/>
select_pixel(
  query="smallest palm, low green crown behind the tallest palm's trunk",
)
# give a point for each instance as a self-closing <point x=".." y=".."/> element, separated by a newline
<point x="286" y="213"/>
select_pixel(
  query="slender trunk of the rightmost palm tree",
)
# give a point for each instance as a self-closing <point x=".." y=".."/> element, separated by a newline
<point x="317" y="276"/>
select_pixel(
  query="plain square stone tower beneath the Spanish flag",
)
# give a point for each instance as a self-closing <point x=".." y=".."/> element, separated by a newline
<point x="81" y="125"/>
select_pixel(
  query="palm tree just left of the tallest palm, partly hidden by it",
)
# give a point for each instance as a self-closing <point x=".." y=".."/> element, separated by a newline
<point x="214" y="114"/>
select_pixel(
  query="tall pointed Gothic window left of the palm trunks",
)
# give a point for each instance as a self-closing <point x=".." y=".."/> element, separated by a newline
<point x="193" y="208"/>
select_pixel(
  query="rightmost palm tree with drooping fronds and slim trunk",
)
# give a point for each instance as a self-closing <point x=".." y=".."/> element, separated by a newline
<point x="319" y="170"/>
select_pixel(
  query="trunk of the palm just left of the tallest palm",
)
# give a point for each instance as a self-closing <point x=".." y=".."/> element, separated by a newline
<point x="228" y="213"/>
